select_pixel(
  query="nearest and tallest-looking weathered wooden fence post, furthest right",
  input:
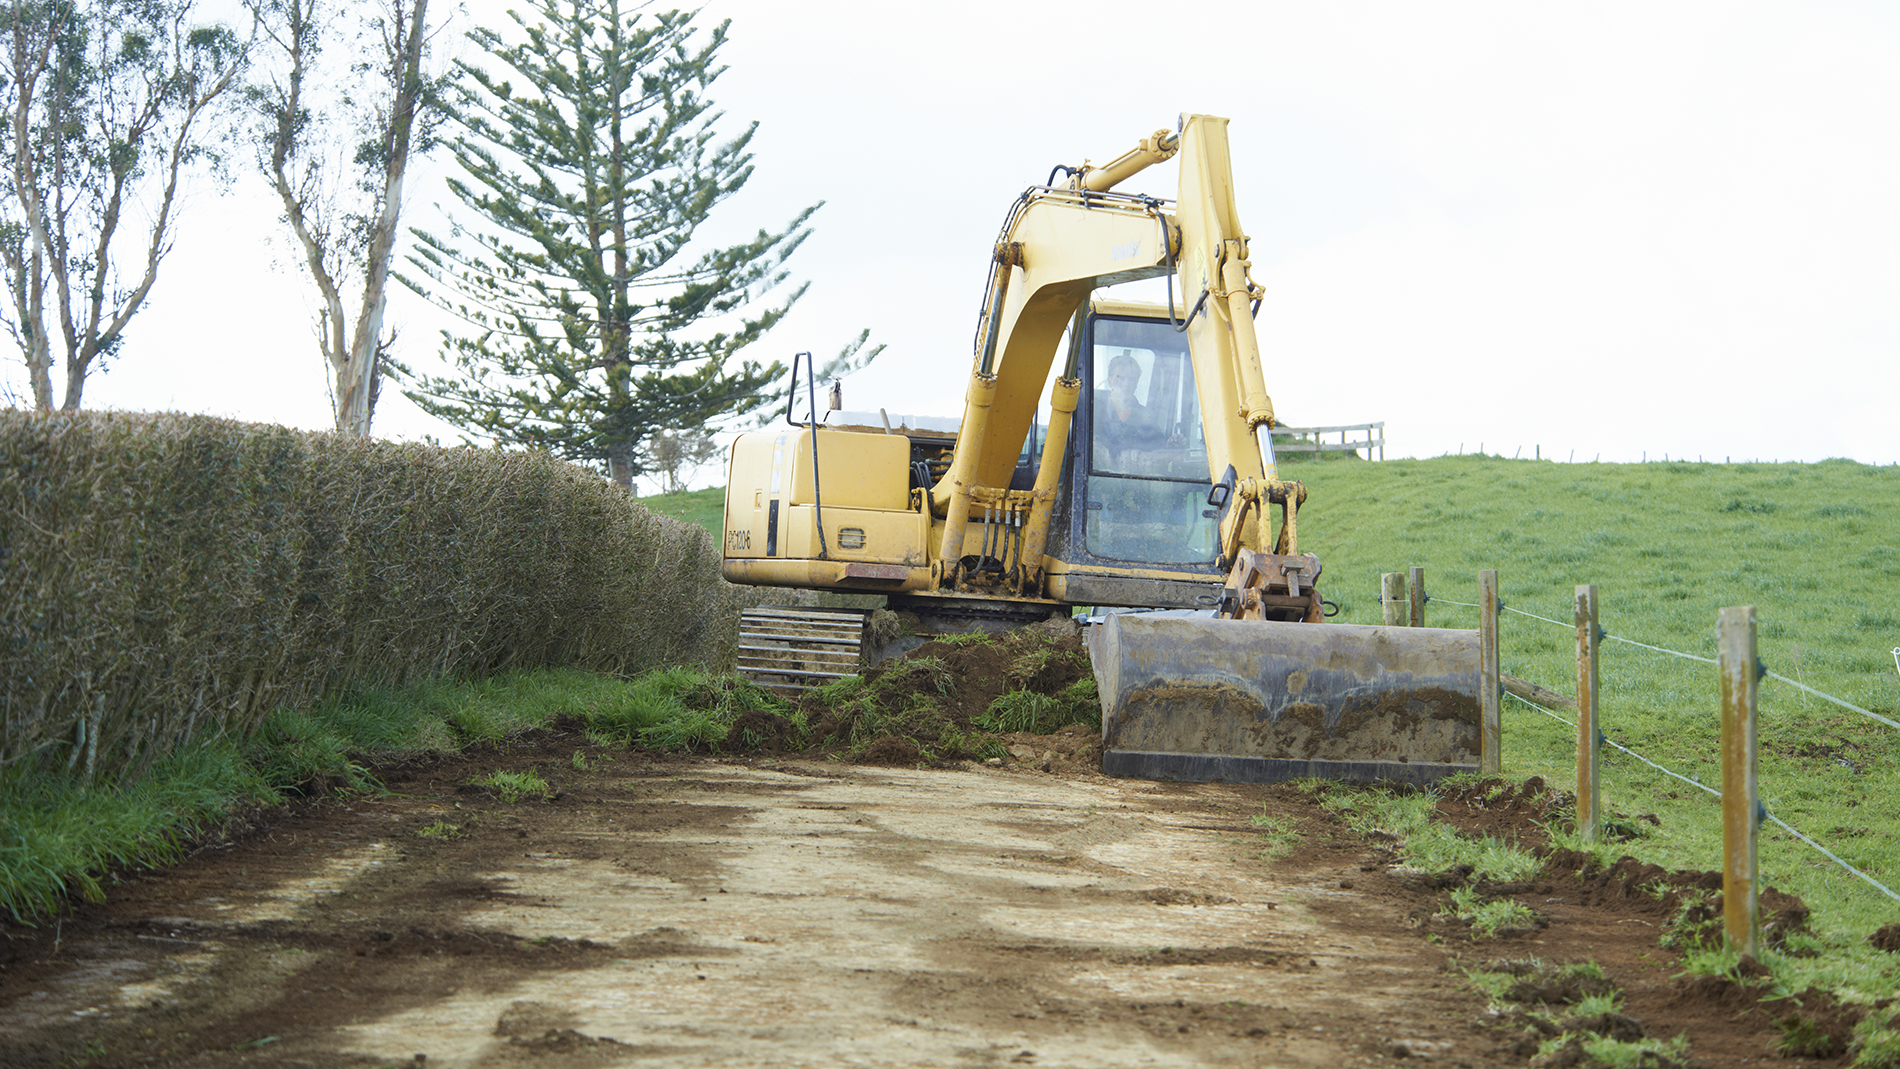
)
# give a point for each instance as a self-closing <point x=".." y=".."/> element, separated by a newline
<point x="1739" y="671"/>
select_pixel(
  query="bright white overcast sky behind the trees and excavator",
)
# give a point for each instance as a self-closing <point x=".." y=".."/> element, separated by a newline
<point x="1605" y="231"/>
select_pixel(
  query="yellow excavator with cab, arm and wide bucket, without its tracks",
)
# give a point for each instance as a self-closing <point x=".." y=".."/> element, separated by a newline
<point x="1149" y="485"/>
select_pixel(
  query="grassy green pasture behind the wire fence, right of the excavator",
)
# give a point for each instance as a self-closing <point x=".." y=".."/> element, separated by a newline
<point x="1815" y="548"/>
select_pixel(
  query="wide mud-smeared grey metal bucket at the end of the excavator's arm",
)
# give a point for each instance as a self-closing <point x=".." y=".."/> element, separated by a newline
<point x="1263" y="702"/>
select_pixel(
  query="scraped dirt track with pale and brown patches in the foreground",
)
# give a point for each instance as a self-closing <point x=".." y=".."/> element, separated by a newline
<point x="693" y="912"/>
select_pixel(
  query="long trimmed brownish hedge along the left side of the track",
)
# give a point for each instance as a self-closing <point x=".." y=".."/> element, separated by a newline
<point x="174" y="576"/>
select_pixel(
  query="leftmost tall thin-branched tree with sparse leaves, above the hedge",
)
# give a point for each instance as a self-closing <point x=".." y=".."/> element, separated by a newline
<point x="109" y="105"/>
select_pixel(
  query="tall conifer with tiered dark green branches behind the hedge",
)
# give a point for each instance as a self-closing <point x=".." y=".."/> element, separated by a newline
<point x="596" y="320"/>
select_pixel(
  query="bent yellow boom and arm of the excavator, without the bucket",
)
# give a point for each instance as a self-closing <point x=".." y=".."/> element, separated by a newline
<point x="1057" y="248"/>
